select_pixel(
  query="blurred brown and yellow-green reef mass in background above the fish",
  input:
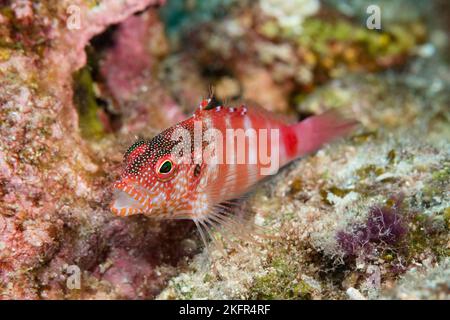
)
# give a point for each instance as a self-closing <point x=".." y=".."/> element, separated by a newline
<point x="251" y="49"/>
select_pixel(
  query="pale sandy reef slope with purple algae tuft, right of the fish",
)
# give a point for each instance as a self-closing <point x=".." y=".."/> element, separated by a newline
<point x="353" y="217"/>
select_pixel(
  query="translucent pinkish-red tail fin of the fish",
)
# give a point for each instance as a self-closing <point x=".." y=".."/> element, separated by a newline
<point x="313" y="132"/>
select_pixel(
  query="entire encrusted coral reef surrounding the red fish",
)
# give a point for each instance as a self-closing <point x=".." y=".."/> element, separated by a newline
<point x="365" y="218"/>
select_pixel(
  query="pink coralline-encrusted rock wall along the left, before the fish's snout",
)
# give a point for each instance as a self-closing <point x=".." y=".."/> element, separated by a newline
<point x="53" y="188"/>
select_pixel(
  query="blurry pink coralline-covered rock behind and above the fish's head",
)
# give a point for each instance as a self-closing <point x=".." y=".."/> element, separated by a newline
<point x="128" y="70"/>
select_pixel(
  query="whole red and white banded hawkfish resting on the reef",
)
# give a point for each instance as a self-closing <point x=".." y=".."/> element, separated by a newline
<point x="168" y="176"/>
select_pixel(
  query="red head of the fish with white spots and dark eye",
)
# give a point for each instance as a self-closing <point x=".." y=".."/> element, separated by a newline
<point x="155" y="182"/>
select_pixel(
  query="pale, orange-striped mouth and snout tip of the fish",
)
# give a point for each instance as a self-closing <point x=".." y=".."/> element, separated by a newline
<point x="129" y="200"/>
